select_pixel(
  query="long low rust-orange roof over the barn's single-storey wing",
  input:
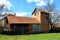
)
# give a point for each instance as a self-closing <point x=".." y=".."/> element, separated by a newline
<point x="19" y="20"/>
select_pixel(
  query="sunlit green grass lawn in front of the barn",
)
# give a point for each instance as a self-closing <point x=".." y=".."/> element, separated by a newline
<point x="47" y="36"/>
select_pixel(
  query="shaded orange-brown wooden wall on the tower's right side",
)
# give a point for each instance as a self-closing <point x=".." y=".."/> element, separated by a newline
<point x="45" y="22"/>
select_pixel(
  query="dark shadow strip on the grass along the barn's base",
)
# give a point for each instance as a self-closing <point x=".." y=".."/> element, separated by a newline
<point x="10" y="33"/>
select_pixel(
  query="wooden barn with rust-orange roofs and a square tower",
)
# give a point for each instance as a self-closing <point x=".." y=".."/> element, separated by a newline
<point x="39" y="22"/>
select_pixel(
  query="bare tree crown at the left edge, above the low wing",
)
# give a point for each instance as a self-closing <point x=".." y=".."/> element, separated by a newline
<point x="5" y="10"/>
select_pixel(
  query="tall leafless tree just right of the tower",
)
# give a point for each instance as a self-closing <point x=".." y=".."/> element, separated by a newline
<point x="50" y="7"/>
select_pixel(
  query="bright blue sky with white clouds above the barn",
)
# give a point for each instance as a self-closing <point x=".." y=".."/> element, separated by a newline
<point x="26" y="7"/>
